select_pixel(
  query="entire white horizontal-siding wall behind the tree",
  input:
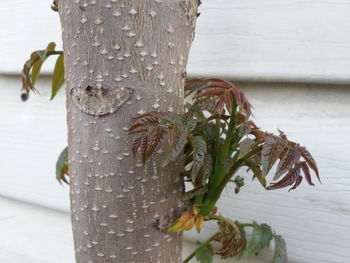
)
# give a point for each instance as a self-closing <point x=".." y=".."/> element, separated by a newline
<point x="292" y="59"/>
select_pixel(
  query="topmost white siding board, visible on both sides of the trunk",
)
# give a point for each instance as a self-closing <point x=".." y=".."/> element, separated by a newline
<point x="271" y="40"/>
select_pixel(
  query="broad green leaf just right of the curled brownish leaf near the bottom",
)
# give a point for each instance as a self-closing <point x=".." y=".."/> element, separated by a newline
<point x="261" y="238"/>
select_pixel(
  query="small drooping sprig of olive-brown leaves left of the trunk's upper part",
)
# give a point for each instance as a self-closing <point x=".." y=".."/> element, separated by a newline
<point x="32" y="67"/>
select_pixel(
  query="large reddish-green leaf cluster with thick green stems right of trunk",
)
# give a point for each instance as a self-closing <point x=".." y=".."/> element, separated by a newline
<point x="215" y="138"/>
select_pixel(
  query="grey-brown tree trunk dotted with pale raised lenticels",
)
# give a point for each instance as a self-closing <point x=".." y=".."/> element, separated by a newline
<point x="123" y="58"/>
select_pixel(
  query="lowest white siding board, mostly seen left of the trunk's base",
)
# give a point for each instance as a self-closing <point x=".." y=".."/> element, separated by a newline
<point x="31" y="234"/>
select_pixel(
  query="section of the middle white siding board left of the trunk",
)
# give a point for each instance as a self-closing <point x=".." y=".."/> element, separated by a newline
<point x="32" y="136"/>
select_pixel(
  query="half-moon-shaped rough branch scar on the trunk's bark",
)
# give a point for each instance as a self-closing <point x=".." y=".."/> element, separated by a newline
<point x="99" y="101"/>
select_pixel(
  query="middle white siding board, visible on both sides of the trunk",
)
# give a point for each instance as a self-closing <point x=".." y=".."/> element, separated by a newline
<point x="314" y="220"/>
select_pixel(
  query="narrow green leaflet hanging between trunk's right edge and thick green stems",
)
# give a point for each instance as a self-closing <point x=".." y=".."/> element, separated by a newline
<point x="199" y="151"/>
